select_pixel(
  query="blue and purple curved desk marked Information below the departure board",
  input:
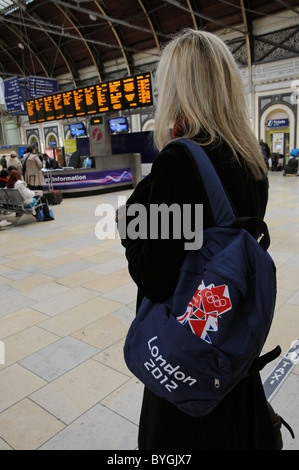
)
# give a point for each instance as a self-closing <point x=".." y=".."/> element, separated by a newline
<point x="112" y="172"/>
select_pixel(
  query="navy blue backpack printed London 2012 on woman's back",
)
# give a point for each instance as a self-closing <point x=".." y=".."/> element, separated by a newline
<point x="196" y="346"/>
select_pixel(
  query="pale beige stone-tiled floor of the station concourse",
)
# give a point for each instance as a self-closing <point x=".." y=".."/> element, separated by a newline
<point x="66" y="304"/>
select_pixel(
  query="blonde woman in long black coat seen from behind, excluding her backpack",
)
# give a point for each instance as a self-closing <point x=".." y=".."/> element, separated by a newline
<point x="200" y="98"/>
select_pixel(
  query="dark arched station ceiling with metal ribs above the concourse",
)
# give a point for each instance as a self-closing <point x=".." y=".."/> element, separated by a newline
<point x="61" y="37"/>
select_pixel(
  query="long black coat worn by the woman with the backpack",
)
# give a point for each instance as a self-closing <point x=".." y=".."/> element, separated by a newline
<point x="154" y="265"/>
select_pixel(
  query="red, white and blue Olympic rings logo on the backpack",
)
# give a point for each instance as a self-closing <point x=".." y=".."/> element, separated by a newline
<point x="204" y="309"/>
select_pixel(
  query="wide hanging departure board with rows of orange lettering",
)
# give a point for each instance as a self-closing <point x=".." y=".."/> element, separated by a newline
<point x="114" y="95"/>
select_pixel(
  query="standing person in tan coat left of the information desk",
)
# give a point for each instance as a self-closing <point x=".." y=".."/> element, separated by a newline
<point x="32" y="169"/>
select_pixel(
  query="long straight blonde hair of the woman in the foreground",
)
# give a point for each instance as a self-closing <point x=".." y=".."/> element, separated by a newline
<point x="200" y="87"/>
